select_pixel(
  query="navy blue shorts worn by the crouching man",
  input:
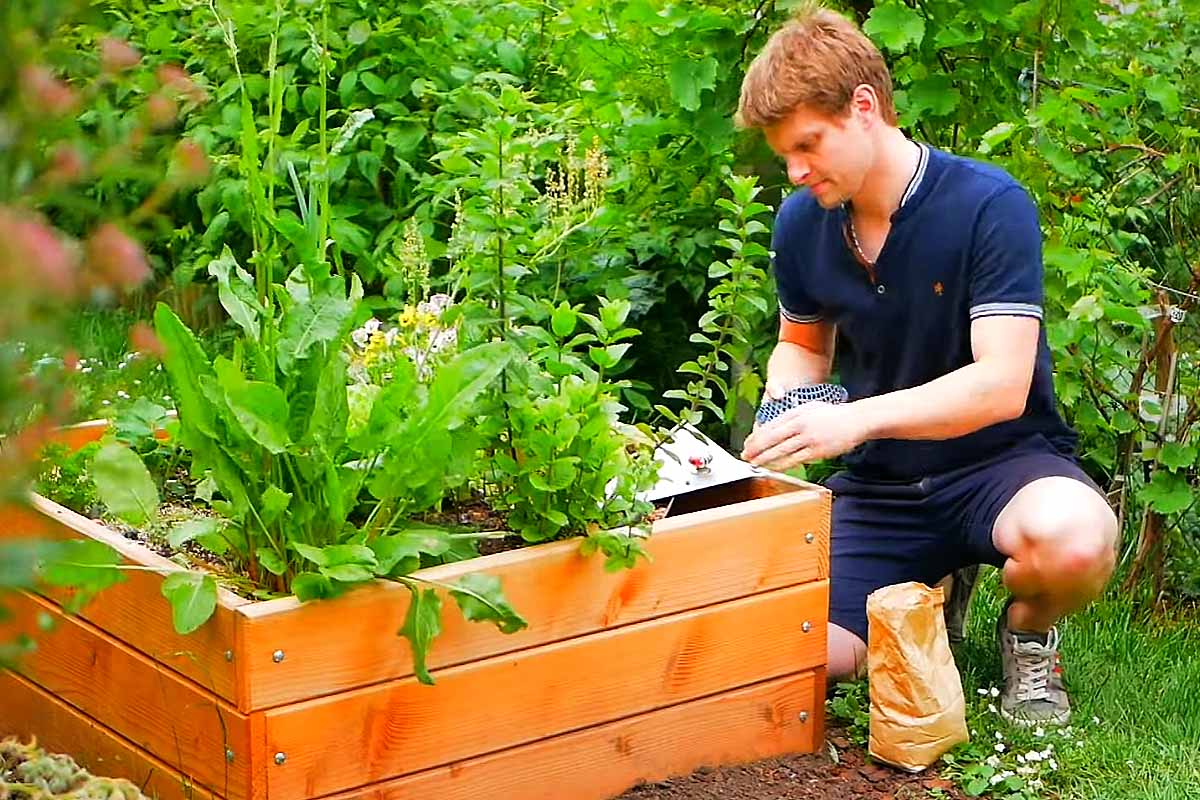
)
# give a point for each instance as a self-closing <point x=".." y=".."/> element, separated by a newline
<point x="887" y="533"/>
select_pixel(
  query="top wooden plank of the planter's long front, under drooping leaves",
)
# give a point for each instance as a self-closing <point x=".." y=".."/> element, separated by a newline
<point x="701" y="560"/>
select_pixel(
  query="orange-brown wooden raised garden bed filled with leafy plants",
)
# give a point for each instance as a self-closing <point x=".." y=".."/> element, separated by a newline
<point x="712" y="654"/>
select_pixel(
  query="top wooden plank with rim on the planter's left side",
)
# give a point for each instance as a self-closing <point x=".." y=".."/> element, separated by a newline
<point x="135" y="611"/>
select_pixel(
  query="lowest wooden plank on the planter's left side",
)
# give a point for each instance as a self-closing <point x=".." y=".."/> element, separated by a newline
<point x="28" y="711"/>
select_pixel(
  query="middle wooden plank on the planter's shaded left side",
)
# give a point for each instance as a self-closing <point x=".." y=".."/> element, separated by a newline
<point x="161" y="713"/>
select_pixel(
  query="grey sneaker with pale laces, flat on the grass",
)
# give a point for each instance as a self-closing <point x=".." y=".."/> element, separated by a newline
<point x="1034" y="690"/>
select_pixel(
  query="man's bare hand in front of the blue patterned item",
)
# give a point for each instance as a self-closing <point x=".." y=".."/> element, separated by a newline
<point x="808" y="434"/>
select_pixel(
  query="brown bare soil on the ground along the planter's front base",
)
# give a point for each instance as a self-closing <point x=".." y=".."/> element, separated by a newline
<point x="842" y="772"/>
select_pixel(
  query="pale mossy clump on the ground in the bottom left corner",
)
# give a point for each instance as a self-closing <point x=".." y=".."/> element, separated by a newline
<point x="28" y="773"/>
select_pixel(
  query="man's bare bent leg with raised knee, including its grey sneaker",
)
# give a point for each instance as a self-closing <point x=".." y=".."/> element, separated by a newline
<point x="1060" y="538"/>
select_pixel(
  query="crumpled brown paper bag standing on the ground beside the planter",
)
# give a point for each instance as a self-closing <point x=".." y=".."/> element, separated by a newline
<point x="917" y="707"/>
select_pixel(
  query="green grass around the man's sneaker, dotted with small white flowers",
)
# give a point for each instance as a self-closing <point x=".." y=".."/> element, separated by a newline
<point x="1135" y="683"/>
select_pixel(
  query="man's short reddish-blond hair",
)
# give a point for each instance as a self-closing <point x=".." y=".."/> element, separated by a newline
<point x="815" y="61"/>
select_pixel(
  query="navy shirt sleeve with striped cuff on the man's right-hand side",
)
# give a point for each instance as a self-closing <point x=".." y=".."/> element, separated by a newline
<point x="1006" y="260"/>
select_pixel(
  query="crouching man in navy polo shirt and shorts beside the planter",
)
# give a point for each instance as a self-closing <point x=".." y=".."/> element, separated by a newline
<point x="926" y="270"/>
